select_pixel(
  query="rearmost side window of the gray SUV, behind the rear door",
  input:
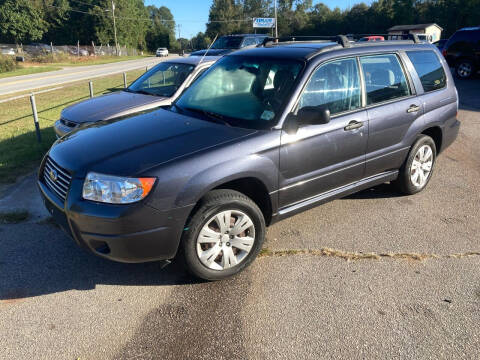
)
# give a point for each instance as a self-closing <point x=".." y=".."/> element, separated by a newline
<point x="429" y="69"/>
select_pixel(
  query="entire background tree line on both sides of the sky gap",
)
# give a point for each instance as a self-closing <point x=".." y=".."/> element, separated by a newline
<point x="149" y="27"/>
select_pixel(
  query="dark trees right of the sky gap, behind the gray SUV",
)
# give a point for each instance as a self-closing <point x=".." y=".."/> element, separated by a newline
<point x="302" y="17"/>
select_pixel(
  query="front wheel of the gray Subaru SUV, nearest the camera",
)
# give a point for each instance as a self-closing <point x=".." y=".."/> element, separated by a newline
<point x="212" y="246"/>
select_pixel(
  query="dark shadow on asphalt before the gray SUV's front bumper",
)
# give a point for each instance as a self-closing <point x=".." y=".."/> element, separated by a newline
<point x="39" y="259"/>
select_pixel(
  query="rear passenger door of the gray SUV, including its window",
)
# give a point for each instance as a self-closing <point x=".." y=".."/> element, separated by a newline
<point x="392" y="107"/>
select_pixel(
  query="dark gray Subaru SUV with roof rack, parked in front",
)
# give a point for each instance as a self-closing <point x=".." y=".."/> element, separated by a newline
<point x="262" y="135"/>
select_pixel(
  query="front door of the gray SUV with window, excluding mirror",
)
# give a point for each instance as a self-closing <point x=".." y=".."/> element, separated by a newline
<point x="319" y="158"/>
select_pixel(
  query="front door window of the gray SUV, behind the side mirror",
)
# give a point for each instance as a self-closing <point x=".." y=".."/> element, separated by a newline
<point x="335" y="85"/>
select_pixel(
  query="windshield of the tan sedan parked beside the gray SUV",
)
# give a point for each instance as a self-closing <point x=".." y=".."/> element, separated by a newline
<point x="163" y="80"/>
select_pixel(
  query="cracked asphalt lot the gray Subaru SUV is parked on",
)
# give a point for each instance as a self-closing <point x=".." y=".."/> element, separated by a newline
<point x="59" y="302"/>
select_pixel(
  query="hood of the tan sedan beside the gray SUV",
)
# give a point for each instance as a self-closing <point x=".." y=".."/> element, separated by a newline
<point x="110" y="106"/>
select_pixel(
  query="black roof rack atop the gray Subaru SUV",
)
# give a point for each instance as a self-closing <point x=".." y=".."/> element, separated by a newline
<point x="342" y="40"/>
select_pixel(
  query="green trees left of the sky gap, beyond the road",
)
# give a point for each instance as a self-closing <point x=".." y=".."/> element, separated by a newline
<point x="68" y="21"/>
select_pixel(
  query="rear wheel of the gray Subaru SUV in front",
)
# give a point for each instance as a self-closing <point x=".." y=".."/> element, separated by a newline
<point x="408" y="182"/>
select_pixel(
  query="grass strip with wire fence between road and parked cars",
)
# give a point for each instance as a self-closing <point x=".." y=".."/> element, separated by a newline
<point x="20" y="152"/>
